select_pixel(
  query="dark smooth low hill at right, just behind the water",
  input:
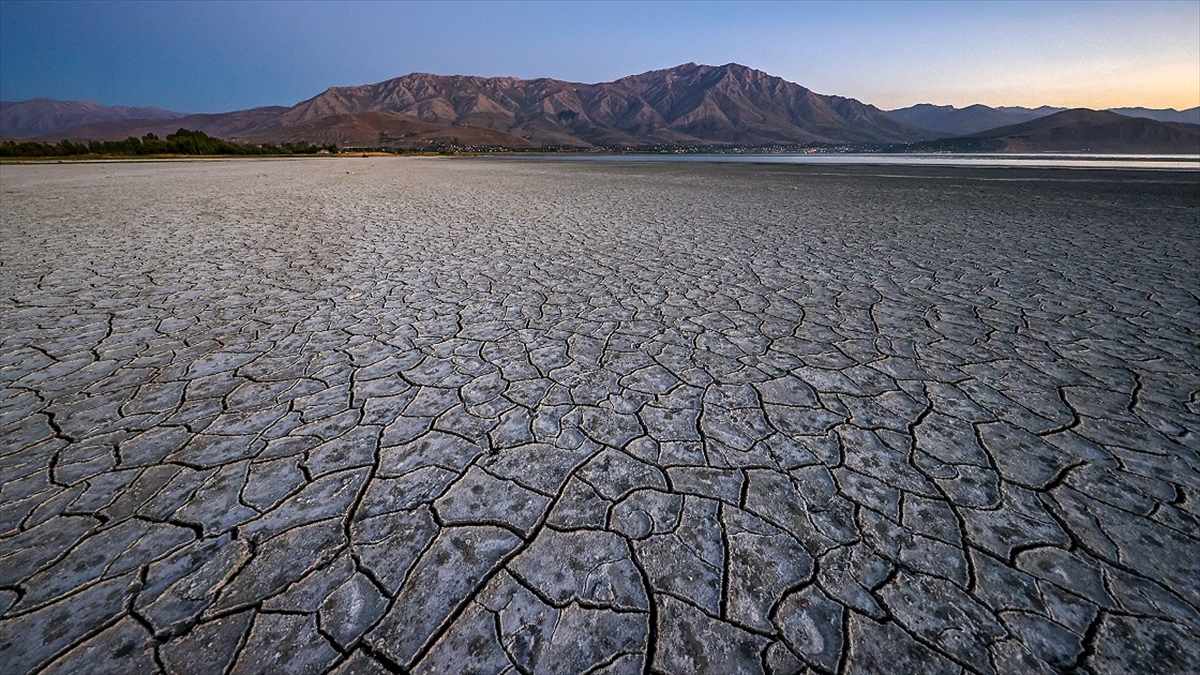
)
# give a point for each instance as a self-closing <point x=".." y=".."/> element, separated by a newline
<point x="1095" y="132"/>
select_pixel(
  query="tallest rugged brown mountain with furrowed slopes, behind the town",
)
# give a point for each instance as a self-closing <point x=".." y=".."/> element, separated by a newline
<point x="691" y="104"/>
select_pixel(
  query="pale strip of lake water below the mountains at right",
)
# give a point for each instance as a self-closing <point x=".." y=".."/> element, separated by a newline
<point x="1167" y="163"/>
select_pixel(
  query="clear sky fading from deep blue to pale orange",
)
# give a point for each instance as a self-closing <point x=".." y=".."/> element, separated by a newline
<point x="224" y="56"/>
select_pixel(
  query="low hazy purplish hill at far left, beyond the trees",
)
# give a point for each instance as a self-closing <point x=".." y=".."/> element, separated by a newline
<point x="46" y="117"/>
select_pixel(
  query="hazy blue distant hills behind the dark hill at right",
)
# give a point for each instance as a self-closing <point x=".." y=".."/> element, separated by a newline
<point x="949" y="121"/>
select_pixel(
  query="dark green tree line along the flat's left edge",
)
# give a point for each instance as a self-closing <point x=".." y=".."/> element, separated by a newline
<point x="183" y="142"/>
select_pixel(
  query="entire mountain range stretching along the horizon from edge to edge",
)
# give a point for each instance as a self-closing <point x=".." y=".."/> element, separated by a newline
<point x="687" y="106"/>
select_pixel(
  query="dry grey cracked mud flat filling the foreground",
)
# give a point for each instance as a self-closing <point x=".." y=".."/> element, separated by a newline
<point x="430" y="416"/>
